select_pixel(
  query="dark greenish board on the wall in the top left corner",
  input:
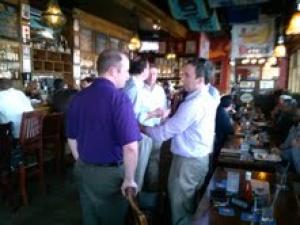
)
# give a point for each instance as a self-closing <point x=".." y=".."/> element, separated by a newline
<point x="9" y="21"/>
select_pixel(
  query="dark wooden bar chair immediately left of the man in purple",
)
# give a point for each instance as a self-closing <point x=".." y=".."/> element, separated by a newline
<point x="53" y="137"/>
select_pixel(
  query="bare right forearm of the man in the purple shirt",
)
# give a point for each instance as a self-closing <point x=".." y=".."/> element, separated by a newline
<point x="130" y="160"/>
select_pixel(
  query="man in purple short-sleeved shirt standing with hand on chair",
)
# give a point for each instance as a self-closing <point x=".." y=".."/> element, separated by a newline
<point x="103" y="133"/>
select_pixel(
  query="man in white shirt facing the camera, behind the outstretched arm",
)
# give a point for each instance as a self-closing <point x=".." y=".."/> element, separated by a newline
<point x="154" y="99"/>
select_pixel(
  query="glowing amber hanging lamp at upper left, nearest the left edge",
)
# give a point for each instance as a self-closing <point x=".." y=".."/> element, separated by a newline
<point x="53" y="15"/>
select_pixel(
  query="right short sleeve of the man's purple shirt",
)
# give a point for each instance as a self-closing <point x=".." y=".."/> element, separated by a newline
<point x="126" y="126"/>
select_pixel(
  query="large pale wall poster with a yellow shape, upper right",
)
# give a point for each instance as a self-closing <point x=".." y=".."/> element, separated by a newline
<point x="255" y="40"/>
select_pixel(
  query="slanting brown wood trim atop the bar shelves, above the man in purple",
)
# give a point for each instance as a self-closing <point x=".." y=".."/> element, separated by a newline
<point x="101" y="25"/>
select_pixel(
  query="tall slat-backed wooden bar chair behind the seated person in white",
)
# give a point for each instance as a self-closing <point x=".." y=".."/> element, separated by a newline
<point x="31" y="145"/>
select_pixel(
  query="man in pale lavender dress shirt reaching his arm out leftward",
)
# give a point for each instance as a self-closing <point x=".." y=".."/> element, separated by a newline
<point x="192" y="130"/>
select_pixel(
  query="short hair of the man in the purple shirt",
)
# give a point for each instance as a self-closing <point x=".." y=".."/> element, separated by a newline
<point x="108" y="58"/>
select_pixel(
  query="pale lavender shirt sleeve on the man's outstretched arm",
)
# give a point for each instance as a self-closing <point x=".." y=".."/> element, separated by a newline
<point x="178" y="123"/>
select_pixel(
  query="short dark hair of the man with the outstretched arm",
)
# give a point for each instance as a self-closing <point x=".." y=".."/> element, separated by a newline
<point x="204" y="68"/>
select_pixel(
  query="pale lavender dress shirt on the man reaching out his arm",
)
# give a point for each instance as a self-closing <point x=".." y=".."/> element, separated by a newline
<point x="192" y="127"/>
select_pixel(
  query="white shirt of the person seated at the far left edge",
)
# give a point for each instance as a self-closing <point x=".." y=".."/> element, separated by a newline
<point x="12" y="105"/>
